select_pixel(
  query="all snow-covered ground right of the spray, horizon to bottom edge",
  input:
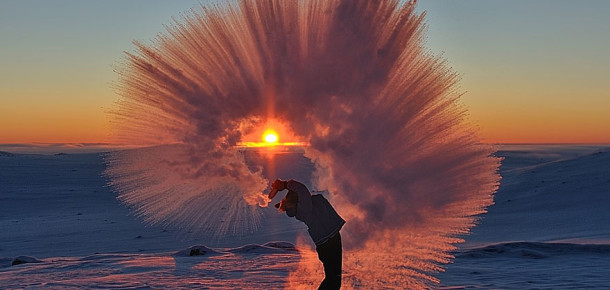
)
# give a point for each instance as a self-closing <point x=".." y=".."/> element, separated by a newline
<point x="549" y="228"/>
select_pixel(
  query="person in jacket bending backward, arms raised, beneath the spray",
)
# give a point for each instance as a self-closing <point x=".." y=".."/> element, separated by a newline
<point x="323" y="224"/>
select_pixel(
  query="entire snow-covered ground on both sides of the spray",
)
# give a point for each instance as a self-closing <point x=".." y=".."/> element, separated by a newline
<point x="62" y="227"/>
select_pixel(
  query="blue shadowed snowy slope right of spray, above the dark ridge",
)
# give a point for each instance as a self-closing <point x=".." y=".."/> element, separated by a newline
<point x="550" y="194"/>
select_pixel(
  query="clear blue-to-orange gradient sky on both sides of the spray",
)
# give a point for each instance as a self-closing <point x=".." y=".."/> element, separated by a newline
<point x="533" y="71"/>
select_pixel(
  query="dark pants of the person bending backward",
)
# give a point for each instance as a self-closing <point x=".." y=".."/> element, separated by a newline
<point x="330" y="253"/>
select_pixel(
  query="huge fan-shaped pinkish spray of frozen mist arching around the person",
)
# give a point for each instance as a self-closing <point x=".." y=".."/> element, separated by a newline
<point x="388" y="137"/>
